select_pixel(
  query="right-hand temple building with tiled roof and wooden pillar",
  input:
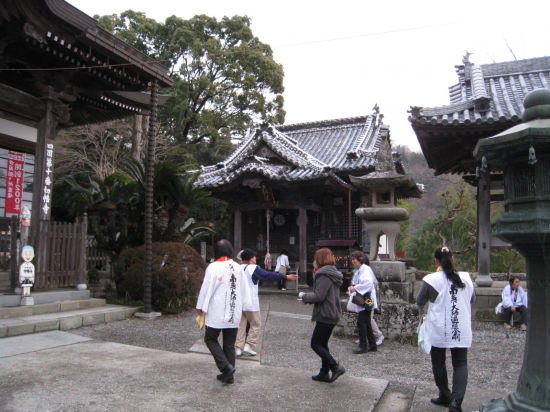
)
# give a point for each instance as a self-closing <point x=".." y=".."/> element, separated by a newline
<point x="487" y="100"/>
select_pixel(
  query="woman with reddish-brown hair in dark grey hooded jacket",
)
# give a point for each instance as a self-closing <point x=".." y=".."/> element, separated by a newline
<point x="326" y="312"/>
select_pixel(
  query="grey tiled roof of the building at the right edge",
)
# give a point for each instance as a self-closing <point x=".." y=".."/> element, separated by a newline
<point x="487" y="93"/>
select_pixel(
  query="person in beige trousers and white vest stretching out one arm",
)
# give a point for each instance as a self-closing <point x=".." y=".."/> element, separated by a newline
<point x="247" y="343"/>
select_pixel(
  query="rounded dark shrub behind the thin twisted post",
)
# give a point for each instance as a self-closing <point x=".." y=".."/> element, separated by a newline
<point x="174" y="286"/>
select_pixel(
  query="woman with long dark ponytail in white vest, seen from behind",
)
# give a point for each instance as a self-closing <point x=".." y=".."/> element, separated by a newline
<point x="449" y="323"/>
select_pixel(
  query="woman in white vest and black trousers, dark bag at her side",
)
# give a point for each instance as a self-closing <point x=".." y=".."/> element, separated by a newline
<point x="363" y="284"/>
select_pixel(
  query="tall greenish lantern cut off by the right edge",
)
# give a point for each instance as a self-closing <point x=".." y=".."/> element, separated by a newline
<point x="523" y="154"/>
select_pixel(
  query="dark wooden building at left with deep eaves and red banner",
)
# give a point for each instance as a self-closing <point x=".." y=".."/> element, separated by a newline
<point x="59" y="69"/>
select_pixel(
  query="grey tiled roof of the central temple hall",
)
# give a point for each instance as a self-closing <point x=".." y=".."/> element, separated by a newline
<point x="301" y="152"/>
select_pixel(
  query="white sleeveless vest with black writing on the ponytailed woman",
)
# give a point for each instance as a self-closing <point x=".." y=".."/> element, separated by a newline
<point x="449" y="318"/>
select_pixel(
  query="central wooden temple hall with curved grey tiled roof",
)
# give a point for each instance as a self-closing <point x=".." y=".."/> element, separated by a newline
<point x="289" y="187"/>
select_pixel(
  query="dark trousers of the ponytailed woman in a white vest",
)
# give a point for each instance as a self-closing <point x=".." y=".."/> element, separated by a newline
<point x="460" y="372"/>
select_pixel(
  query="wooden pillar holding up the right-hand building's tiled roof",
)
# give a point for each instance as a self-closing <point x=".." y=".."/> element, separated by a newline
<point x="484" y="230"/>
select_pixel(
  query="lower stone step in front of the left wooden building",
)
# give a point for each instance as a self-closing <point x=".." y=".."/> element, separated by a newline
<point x="71" y="319"/>
